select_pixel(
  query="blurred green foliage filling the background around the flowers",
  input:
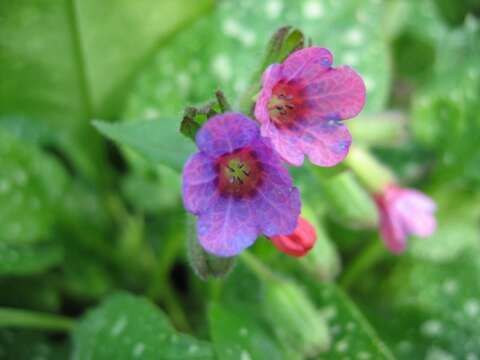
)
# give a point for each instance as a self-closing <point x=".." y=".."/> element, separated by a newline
<point x="92" y="233"/>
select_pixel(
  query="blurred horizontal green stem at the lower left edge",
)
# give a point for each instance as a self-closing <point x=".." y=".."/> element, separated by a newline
<point x="34" y="320"/>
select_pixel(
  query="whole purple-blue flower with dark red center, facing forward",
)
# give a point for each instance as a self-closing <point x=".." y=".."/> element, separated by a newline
<point x="237" y="186"/>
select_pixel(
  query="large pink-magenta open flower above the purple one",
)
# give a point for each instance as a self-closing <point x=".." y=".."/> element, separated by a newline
<point x="302" y="103"/>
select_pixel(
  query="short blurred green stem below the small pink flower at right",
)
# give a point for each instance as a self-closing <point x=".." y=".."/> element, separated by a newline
<point x="369" y="257"/>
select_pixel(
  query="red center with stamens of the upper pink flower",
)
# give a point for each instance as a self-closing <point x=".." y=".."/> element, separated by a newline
<point x="285" y="103"/>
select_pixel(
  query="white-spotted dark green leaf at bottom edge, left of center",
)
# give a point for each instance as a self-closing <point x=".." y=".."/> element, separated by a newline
<point x="128" y="327"/>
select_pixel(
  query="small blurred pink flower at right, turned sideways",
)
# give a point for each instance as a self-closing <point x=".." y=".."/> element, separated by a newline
<point x="404" y="212"/>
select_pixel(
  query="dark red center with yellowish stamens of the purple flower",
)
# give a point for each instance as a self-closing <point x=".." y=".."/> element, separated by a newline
<point x="239" y="173"/>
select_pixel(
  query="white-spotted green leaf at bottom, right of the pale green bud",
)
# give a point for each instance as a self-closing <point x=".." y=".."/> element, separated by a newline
<point x="352" y="335"/>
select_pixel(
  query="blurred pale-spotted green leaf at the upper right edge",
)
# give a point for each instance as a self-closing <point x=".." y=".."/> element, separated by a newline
<point x="445" y="110"/>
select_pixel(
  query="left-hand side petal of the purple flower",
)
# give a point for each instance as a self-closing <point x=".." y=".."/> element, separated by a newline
<point x="198" y="183"/>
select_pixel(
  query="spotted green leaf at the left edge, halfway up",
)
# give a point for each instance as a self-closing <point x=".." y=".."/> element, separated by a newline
<point x="31" y="184"/>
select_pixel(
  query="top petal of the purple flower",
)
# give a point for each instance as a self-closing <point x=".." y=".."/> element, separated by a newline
<point x="225" y="133"/>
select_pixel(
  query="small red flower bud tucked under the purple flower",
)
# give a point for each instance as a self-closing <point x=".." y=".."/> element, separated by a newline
<point x="299" y="242"/>
